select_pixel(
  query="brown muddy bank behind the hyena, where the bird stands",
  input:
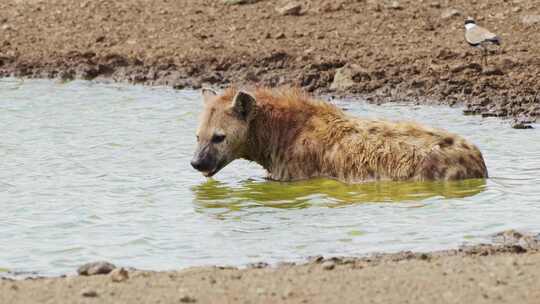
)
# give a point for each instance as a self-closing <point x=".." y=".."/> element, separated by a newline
<point x="411" y="50"/>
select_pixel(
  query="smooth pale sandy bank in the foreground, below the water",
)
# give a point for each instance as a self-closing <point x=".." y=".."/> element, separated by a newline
<point x="507" y="272"/>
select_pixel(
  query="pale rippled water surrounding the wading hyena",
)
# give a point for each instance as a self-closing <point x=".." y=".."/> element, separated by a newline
<point x="101" y="172"/>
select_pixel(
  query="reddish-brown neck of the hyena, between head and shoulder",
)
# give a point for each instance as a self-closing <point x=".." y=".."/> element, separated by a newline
<point x="272" y="136"/>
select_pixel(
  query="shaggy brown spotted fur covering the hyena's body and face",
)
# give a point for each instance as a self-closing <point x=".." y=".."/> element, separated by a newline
<point x="294" y="137"/>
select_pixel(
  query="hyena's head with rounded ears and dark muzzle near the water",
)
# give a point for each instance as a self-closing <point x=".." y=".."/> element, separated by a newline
<point x="223" y="130"/>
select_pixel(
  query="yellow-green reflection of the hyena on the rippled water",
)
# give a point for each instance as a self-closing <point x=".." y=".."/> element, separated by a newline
<point x="325" y="192"/>
